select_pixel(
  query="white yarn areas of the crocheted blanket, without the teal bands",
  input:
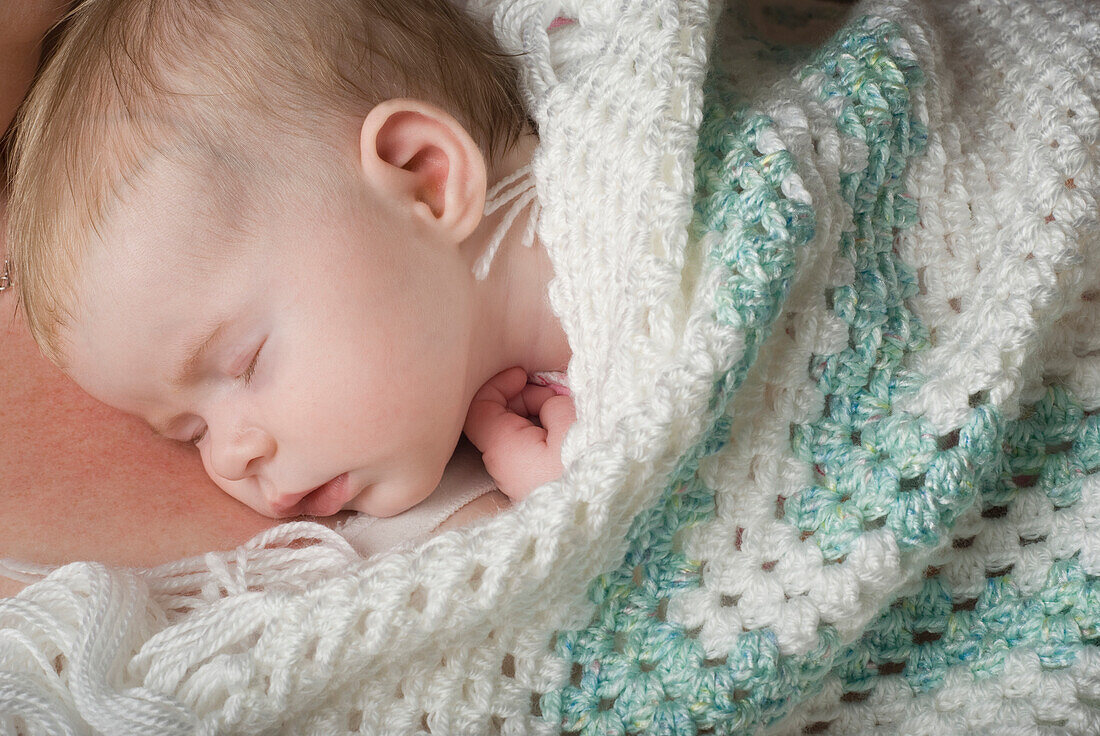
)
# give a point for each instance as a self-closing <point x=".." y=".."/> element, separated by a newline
<point x="295" y="633"/>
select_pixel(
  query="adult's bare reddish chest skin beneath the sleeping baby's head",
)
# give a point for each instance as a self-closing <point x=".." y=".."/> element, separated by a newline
<point x="79" y="480"/>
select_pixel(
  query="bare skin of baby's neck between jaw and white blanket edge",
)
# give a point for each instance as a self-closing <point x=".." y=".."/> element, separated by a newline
<point x="521" y="329"/>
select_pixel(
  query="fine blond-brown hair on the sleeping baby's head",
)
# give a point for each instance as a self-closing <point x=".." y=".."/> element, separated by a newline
<point x="119" y="89"/>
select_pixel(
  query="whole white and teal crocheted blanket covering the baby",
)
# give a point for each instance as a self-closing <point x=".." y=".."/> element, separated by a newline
<point x="835" y="470"/>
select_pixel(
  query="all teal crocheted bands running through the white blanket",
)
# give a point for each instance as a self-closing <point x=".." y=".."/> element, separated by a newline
<point x="876" y="467"/>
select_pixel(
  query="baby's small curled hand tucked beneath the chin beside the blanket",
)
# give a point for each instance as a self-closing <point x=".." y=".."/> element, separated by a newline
<point x="519" y="454"/>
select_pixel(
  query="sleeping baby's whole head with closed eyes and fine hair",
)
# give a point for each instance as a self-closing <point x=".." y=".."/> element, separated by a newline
<point x="254" y="225"/>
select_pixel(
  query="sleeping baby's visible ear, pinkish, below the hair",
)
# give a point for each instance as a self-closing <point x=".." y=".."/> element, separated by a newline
<point x="422" y="156"/>
